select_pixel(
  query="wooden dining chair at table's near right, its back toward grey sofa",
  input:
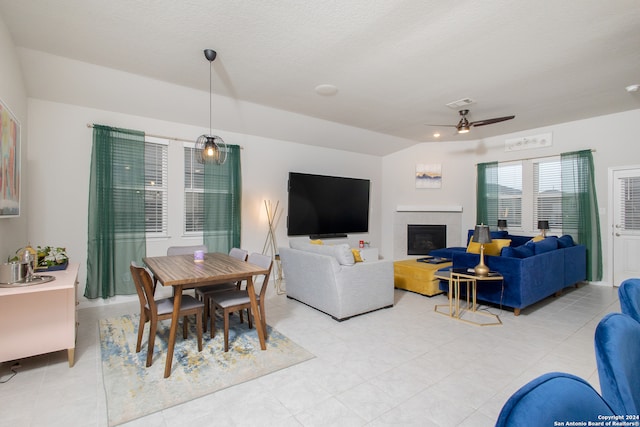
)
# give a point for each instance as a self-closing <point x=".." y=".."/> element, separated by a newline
<point x="238" y="300"/>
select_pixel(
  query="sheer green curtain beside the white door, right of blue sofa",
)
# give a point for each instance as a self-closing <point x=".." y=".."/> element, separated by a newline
<point x="580" y="207"/>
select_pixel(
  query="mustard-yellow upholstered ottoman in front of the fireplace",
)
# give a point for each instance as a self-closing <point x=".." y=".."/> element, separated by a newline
<point x="415" y="276"/>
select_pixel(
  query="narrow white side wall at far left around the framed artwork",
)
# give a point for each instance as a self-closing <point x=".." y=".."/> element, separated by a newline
<point x="13" y="231"/>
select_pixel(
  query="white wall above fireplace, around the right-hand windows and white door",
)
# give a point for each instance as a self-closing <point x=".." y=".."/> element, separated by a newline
<point x="613" y="137"/>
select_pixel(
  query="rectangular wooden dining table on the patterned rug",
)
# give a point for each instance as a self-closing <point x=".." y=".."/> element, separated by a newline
<point x="181" y="271"/>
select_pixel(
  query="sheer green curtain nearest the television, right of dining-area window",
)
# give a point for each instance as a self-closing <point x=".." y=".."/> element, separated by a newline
<point x="222" y="199"/>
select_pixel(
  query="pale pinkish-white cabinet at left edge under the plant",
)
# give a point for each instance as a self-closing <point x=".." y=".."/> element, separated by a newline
<point x="40" y="318"/>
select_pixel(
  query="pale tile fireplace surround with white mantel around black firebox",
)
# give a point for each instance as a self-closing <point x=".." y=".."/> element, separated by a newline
<point x="451" y="216"/>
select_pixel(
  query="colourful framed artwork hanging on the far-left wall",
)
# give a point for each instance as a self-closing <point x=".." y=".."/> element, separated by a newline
<point x="9" y="163"/>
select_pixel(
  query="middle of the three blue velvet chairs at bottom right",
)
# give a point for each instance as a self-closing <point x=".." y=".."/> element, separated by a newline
<point x="617" y="342"/>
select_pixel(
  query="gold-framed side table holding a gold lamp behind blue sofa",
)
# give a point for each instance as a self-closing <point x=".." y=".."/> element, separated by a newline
<point x="457" y="277"/>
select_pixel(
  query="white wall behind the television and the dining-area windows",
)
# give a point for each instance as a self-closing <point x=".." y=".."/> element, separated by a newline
<point x="60" y="162"/>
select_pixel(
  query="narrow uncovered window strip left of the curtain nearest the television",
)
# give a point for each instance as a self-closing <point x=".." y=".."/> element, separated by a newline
<point x="193" y="192"/>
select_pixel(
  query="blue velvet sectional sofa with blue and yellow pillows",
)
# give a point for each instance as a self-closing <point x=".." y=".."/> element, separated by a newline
<point x="532" y="271"/>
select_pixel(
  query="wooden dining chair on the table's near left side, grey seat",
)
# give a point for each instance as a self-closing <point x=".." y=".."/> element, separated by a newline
<point x="153" y="311"/>
